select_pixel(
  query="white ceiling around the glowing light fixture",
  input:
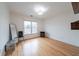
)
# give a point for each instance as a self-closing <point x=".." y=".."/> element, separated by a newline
<point x="27" y="8"/>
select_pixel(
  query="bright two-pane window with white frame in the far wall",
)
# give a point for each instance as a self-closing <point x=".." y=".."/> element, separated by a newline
<point x="30" y="27"/>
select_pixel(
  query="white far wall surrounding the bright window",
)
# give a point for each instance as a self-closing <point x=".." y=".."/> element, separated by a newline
<point x="18" y="20"/>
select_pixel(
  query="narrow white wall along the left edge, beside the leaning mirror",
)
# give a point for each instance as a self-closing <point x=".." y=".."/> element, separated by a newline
<point x="4" y="26"/>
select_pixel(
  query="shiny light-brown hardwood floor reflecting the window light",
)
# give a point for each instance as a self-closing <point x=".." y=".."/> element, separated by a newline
<point x="44" y="47"/>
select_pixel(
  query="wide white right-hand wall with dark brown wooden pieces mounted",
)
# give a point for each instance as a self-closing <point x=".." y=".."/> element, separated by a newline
<point x="58" y="27"/>
